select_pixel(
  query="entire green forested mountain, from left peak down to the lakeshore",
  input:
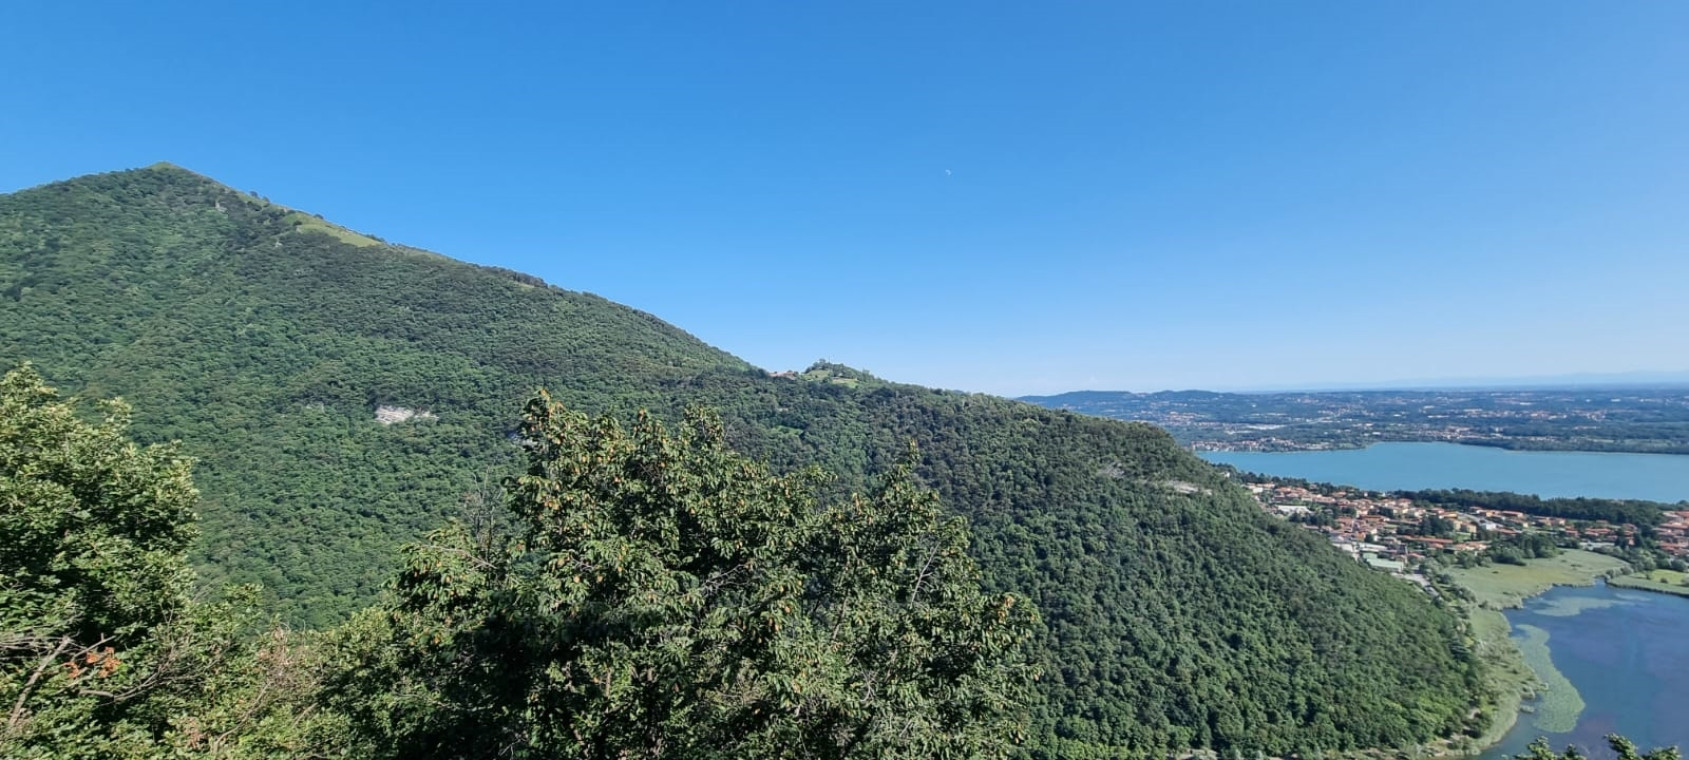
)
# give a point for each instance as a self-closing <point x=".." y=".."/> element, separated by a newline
<point x="345" y="396"/>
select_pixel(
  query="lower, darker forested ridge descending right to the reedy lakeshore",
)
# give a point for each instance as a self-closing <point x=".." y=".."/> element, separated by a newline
<point x="1176" y="614"/>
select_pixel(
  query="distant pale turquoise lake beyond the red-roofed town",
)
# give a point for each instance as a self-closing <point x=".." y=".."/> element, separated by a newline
<point x="1391" y="467"/>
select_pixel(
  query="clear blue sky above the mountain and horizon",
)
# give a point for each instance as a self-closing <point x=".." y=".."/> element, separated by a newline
<point x="1014" y="198"/>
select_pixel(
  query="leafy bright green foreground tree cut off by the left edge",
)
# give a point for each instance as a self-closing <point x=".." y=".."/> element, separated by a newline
<point x="92" y="572"/>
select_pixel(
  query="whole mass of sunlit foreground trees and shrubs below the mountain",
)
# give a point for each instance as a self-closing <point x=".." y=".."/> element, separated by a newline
<point x="643" y="594"/>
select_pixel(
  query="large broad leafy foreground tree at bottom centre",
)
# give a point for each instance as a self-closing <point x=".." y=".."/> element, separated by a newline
<point x="668" y="599"/>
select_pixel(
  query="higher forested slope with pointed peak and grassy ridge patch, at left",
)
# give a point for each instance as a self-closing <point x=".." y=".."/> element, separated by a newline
<point x="266" y="347"/>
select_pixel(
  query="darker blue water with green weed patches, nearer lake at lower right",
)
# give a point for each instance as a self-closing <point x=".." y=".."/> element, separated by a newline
<point x="1627" y="656"/>
